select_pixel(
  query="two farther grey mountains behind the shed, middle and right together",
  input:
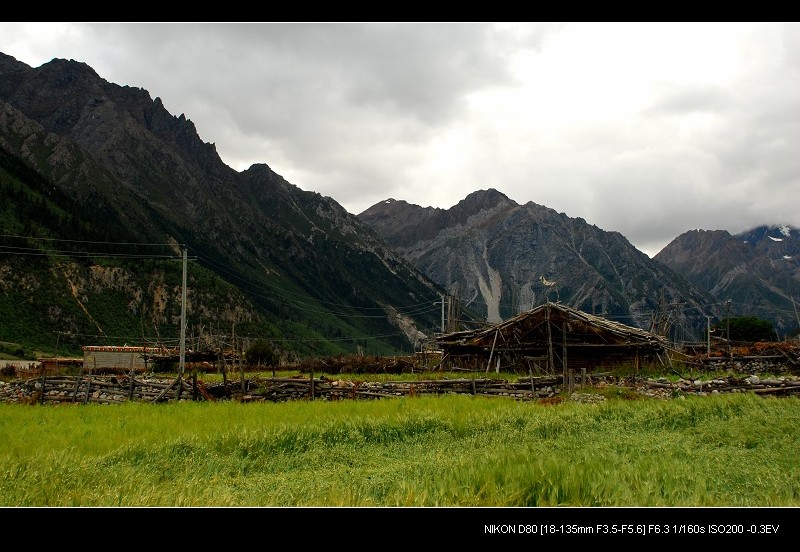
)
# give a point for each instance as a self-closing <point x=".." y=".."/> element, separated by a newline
<point x="500" y="258"/>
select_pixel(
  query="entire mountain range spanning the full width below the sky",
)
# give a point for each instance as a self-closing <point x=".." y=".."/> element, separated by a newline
<point x="102" y="189"/>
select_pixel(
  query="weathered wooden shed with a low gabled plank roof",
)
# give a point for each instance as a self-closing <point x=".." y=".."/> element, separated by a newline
<point x="551" y="339"/>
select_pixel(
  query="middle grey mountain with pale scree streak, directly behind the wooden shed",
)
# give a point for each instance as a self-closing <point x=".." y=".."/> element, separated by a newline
<point x="500" y="258"/>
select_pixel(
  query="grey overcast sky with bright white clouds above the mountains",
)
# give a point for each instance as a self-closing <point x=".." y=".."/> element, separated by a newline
<point x="647" y="129"/>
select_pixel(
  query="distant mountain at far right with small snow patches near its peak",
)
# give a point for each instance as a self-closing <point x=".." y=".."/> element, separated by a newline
<point x="757" y="271"/>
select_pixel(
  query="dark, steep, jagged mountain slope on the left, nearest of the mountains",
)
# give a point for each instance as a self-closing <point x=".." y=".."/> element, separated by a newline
<point x="85" y="159"/>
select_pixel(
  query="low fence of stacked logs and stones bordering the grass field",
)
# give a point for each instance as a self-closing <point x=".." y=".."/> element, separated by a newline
<point x="119" y="389"/>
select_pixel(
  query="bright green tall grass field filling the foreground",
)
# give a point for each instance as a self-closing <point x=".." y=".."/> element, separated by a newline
<point x="725" y="450"/>
